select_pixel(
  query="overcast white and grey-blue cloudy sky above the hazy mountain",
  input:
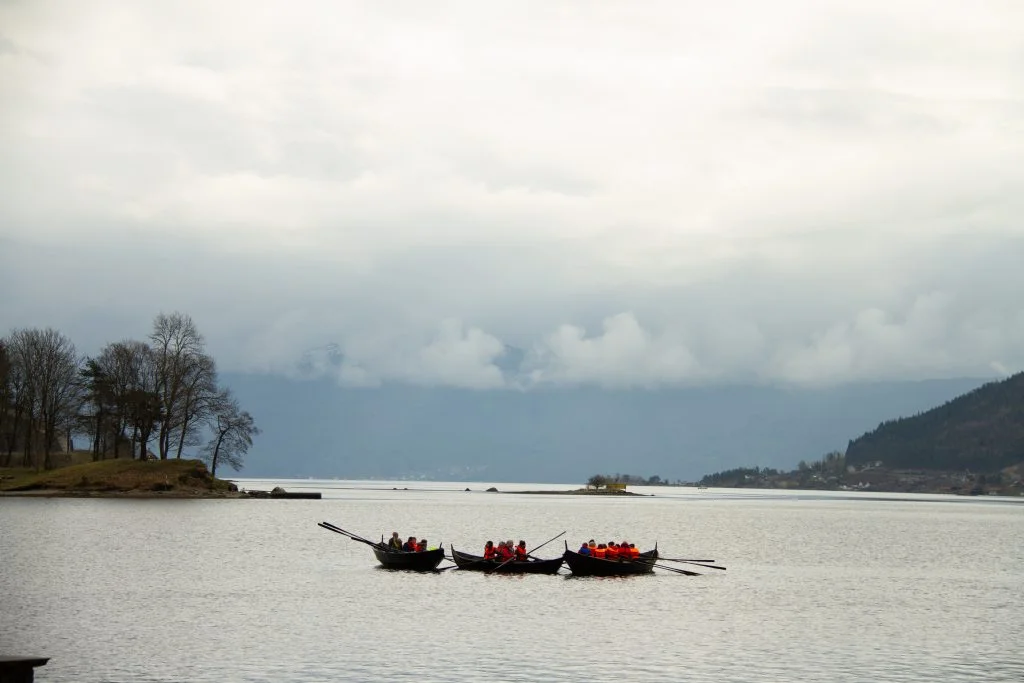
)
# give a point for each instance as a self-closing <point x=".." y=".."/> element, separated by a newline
<point x="633" y="194"/>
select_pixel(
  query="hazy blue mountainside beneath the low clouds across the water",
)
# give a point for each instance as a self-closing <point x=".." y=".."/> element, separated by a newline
<point x="316" y="429"/>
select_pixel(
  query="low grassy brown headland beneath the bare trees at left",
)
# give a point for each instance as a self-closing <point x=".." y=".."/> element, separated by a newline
<point x="162" y="479"/>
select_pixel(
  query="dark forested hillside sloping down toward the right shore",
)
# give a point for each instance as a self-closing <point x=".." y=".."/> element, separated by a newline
<point x="982" y="432"/>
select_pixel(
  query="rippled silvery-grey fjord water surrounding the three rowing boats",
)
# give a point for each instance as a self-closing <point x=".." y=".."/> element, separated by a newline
<point x="820" y="587"/>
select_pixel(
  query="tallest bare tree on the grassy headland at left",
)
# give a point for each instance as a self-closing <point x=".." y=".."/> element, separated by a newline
<point x="178" y="347"/>
